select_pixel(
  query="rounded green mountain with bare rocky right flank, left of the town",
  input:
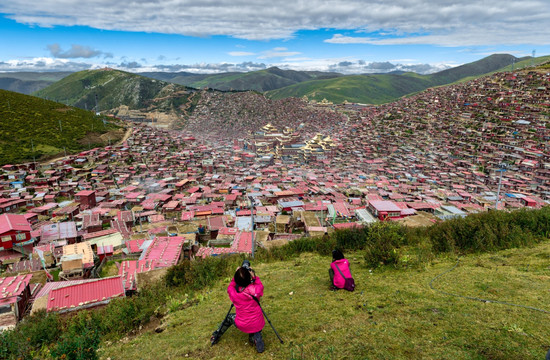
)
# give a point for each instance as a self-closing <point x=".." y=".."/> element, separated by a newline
<point x="110" y="89"/>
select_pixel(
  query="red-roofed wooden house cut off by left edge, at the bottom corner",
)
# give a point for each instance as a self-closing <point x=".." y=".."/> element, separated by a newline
<point x="14" y="297"/>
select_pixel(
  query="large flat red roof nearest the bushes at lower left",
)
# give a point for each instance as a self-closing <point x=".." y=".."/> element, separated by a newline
<point x="85" y="295"/>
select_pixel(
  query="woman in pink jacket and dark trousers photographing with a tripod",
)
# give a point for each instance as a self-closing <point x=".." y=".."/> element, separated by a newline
<point x="244" y="292"/>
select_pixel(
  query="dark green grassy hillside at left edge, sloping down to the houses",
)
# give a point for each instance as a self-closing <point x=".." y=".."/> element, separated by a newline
<point x="26" y="118"/>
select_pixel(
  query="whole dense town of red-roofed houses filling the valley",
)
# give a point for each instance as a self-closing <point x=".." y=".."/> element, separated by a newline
<point x="162" y="196"/>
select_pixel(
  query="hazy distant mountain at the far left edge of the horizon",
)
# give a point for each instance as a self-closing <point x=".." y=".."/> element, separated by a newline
<point x="29" y="82"/>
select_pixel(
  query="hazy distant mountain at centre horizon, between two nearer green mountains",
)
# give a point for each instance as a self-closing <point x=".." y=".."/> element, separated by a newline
<point x="262" y="80"/>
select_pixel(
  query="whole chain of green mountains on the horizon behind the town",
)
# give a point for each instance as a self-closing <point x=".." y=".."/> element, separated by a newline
<point x="114" y="88"/>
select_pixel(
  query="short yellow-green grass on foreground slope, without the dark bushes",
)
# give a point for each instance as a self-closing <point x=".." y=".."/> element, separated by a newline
<point x="393" y="314"/>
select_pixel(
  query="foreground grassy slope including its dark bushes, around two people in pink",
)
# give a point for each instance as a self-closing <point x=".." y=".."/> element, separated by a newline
<point x="403" y="307"/>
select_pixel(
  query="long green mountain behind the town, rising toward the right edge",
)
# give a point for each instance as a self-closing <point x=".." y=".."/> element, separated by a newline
<point x="378" y="89"/>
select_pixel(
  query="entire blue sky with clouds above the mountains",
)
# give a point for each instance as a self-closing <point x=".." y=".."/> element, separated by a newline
<point x="352" y="36"/>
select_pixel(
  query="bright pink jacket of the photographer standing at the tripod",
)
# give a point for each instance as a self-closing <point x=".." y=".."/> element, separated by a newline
<point x="249" y="317"/>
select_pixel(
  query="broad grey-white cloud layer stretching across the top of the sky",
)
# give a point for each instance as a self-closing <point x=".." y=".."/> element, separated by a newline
<point x="439" y="22"/>
